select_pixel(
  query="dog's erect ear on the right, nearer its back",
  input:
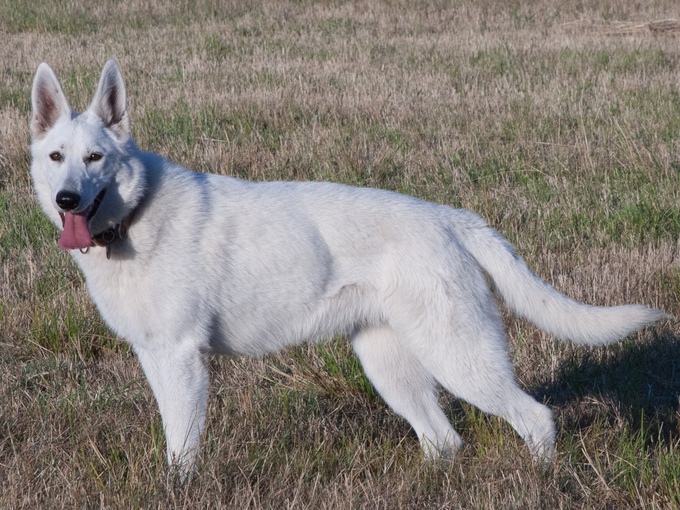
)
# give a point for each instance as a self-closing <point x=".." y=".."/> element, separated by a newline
<point x="110" y="103"/>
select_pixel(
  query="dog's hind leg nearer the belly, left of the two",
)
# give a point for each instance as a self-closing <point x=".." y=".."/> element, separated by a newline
<point x="407" y="388"/>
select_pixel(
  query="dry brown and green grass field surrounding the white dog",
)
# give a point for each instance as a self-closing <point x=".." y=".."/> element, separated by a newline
<point x="559" y="122"/>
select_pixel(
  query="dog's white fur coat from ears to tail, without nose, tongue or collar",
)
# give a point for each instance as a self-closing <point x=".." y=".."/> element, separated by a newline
<point x="218" y="265"/>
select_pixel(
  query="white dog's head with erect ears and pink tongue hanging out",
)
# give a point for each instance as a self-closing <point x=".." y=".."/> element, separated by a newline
<point x="85" y="167"/>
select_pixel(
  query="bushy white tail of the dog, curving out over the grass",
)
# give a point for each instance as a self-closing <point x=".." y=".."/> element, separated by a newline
<point x="532" y="298"/>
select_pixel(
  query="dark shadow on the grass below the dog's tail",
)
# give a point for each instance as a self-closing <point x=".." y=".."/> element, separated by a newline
<point x="636" y="383"/>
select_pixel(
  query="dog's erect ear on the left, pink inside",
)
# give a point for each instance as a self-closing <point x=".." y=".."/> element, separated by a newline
<point x="49" y="101"/>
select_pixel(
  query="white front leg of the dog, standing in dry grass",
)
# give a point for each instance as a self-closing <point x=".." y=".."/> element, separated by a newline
<point x="179" y="380"/>
